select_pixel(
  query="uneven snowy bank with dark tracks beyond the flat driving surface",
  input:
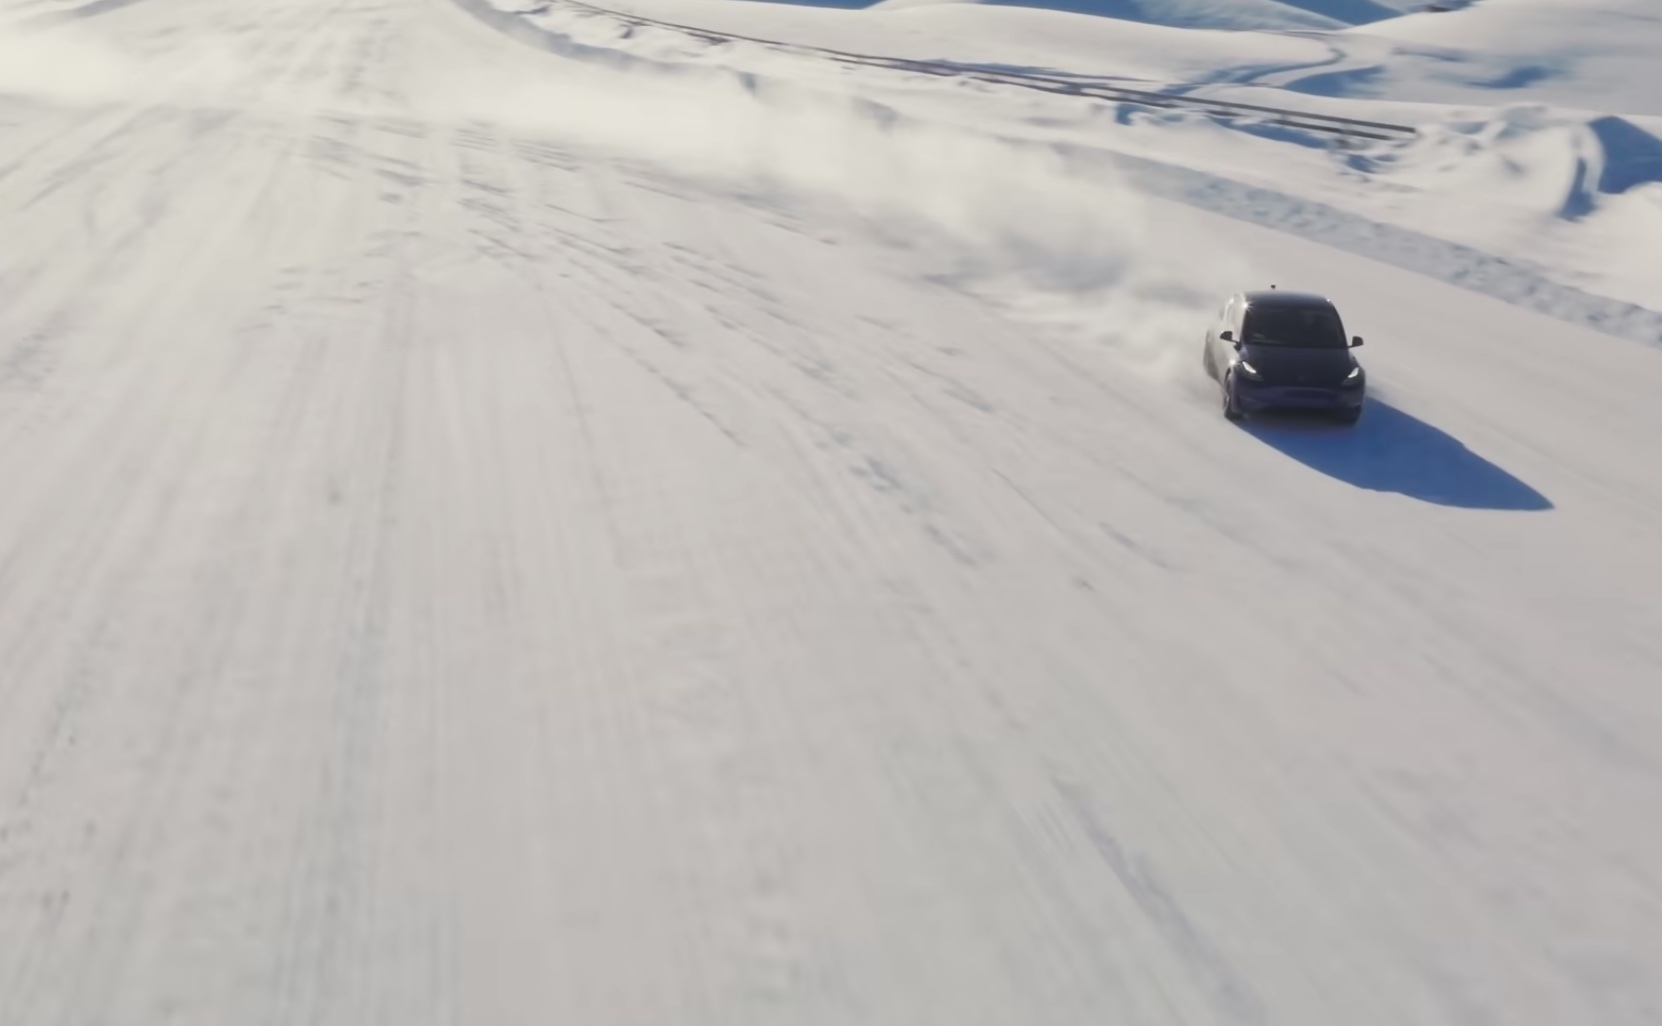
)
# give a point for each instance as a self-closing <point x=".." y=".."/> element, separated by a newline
<point x="1566" y="195"/>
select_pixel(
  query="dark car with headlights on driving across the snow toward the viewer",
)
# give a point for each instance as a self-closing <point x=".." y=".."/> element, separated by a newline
<point x="1282" y="350"/>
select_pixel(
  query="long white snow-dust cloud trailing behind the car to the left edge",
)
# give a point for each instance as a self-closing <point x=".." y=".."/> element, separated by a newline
<point x="1041" y="234"/>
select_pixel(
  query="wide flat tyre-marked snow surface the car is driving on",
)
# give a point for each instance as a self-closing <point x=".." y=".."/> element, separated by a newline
<point x="498" y="540"/>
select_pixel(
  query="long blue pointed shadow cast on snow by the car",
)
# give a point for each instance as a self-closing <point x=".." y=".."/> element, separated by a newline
<point x="1392" y="451"/>
